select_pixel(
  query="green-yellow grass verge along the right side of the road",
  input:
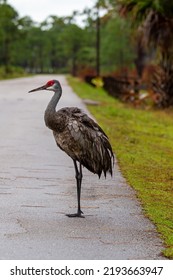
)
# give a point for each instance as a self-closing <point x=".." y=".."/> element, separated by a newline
<point x="143" y="143"/>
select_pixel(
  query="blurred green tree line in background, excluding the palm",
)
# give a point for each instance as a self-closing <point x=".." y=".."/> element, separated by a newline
<point x="59" y="44"/>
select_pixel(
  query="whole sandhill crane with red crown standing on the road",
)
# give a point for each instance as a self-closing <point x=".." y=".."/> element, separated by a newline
<point x="79" y="136"/>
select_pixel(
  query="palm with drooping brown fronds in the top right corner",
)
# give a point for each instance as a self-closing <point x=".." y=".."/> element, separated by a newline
<point x="155" y="19"/>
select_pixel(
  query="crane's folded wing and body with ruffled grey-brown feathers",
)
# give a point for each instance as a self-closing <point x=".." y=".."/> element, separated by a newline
<point x="85" y="141"/>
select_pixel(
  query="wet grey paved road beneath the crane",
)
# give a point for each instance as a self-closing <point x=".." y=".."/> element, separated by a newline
<point x="37" y="188"/>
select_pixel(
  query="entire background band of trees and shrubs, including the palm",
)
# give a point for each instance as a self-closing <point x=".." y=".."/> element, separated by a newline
<point x="130" y="39"/>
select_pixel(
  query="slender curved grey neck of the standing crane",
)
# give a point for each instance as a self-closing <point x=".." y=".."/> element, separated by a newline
<point x="51" y="108"/>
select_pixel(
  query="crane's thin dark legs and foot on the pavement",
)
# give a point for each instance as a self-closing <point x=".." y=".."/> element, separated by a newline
<point x="79" y="183"/>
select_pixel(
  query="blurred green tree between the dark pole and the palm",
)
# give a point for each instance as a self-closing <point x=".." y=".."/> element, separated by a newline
<point x="117" y="50"/>
